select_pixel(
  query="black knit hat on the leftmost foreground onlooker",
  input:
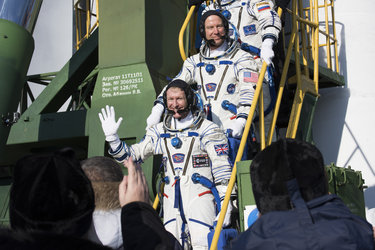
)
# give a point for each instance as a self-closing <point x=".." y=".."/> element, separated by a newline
<point x="51" y="193"/>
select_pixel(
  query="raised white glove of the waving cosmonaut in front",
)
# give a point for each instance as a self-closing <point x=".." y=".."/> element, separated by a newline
<point x="109" y="124"/>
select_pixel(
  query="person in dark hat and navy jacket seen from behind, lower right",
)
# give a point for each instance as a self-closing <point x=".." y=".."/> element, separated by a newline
<point x="290" y="188"/>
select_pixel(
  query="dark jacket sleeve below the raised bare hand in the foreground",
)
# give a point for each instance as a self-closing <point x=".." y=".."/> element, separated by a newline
<point x="143" y="229"/>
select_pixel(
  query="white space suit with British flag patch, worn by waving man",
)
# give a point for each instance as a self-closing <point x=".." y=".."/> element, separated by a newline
<point x="203" y="150"/>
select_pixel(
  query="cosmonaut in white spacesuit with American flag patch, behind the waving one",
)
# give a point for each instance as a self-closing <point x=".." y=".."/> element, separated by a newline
<point x="225" y="74"/>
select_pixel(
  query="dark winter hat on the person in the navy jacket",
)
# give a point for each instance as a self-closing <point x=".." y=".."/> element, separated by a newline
<point x="280" y="162"/>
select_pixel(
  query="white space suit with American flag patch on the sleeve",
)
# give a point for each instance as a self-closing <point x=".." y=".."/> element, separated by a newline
<point x="232" y="79"/>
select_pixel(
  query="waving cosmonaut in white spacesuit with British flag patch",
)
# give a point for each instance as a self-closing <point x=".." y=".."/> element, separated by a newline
<point x="195" y="157"/>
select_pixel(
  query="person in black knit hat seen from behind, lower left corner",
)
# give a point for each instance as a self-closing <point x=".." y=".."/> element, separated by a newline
<point x="51" y="204"/>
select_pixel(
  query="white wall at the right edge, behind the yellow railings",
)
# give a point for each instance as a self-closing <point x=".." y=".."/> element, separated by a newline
<point x="344" y="121"/>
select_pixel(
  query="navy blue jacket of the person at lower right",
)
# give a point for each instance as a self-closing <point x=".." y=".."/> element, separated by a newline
<point x="326" y="224"/>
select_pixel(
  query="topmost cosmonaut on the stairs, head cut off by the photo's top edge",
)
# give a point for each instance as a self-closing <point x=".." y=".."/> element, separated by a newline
<point x="258" y="27"/>
